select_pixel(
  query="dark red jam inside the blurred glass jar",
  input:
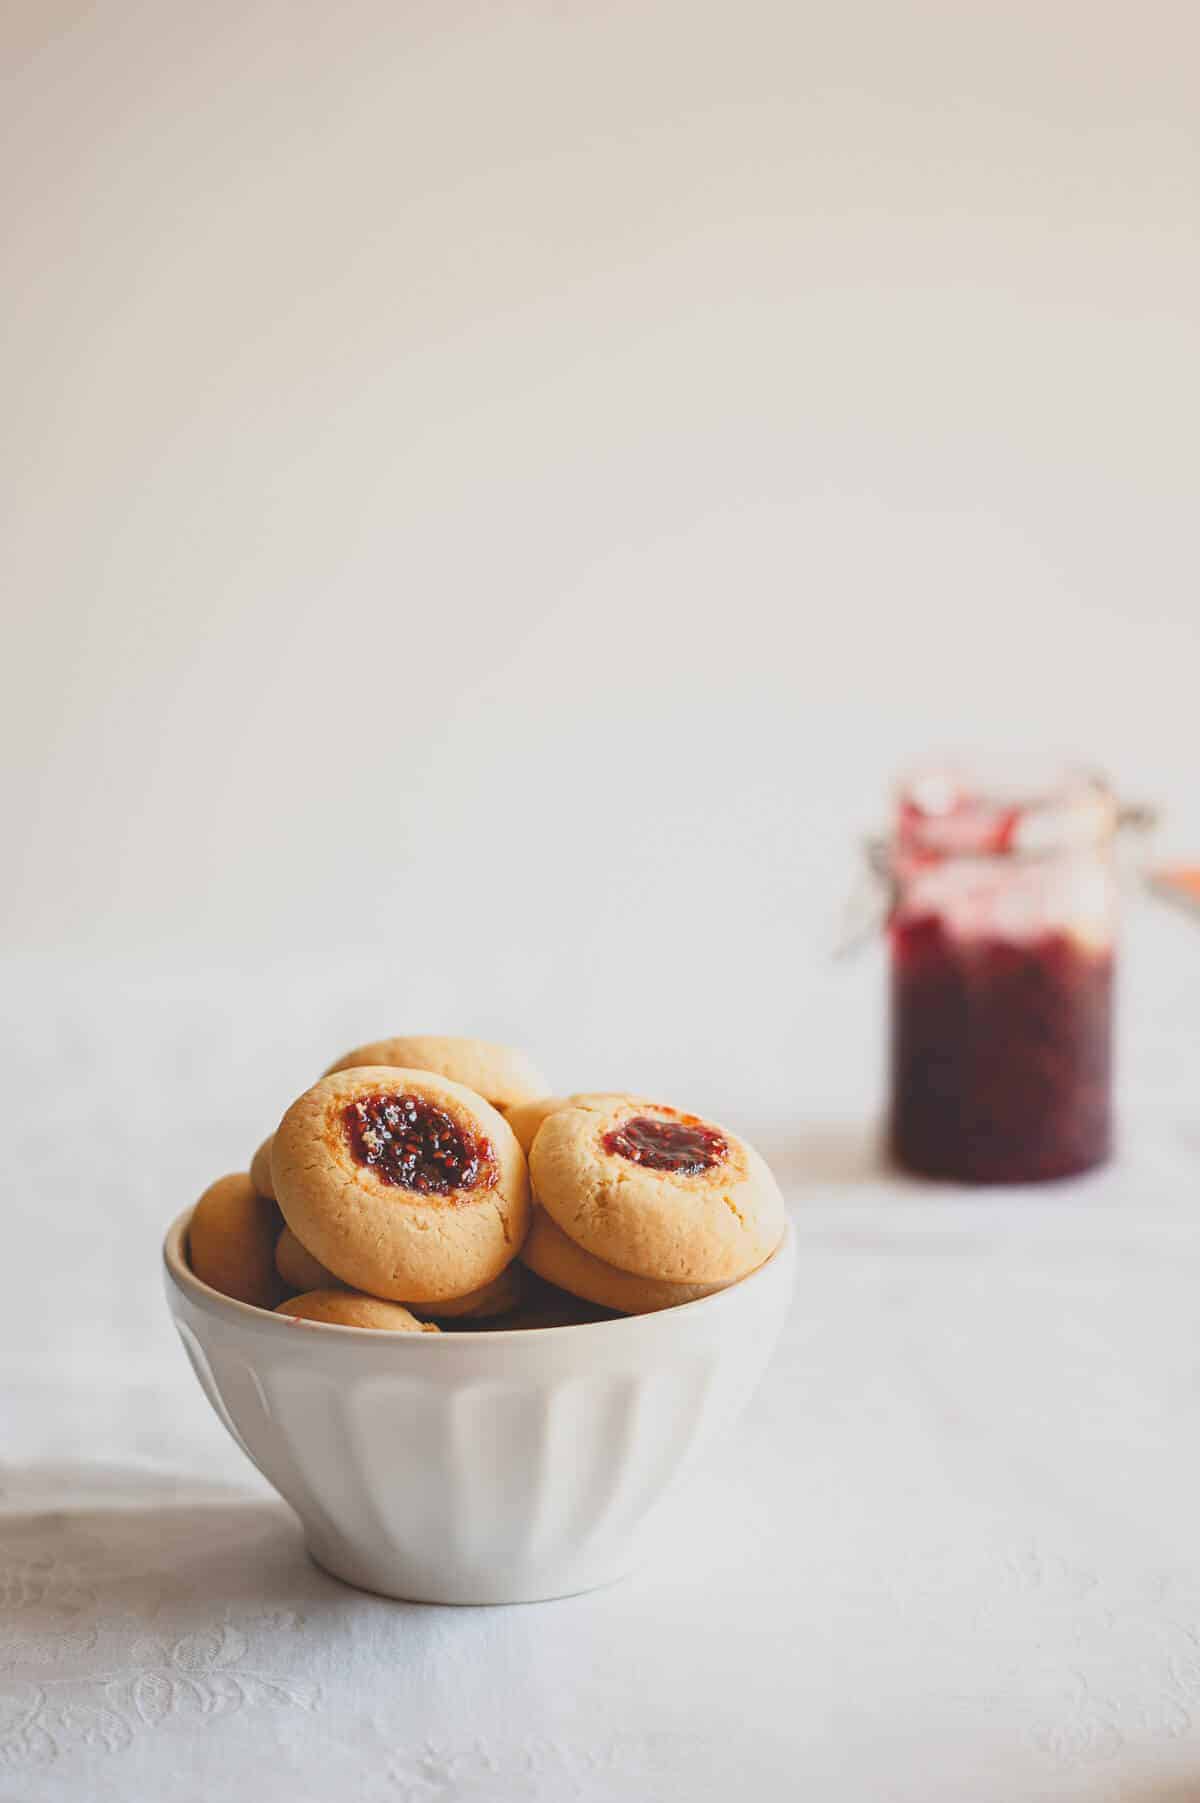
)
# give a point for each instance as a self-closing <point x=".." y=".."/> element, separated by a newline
<point x="1001" y="1054"/>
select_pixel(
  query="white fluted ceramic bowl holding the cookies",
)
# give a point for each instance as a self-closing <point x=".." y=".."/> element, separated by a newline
<point x="478" y="1467"/>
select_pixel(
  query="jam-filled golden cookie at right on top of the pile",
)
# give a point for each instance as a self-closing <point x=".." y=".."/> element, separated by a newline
<point x="659" y="1193"/>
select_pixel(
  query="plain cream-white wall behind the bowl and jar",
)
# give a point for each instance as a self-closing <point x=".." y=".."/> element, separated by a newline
<point x="498" y="491"/>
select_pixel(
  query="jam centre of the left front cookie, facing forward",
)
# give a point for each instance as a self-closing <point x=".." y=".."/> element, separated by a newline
<point x="417" y="1146"/>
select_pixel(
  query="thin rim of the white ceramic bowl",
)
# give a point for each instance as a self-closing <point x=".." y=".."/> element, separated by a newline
<point x="250" y="1315"/>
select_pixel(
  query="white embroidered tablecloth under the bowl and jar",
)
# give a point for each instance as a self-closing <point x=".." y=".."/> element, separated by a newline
<point x="950" y="1553"/>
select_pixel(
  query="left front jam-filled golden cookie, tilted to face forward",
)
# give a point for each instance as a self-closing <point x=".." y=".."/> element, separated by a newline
<point x="406" y="1185"/>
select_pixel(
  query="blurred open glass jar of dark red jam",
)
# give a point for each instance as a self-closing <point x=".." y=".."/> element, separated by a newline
<point x="1003" y="978"/>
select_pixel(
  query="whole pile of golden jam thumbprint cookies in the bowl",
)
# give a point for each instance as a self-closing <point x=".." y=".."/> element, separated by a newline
<point x="432" y="1184"/>
